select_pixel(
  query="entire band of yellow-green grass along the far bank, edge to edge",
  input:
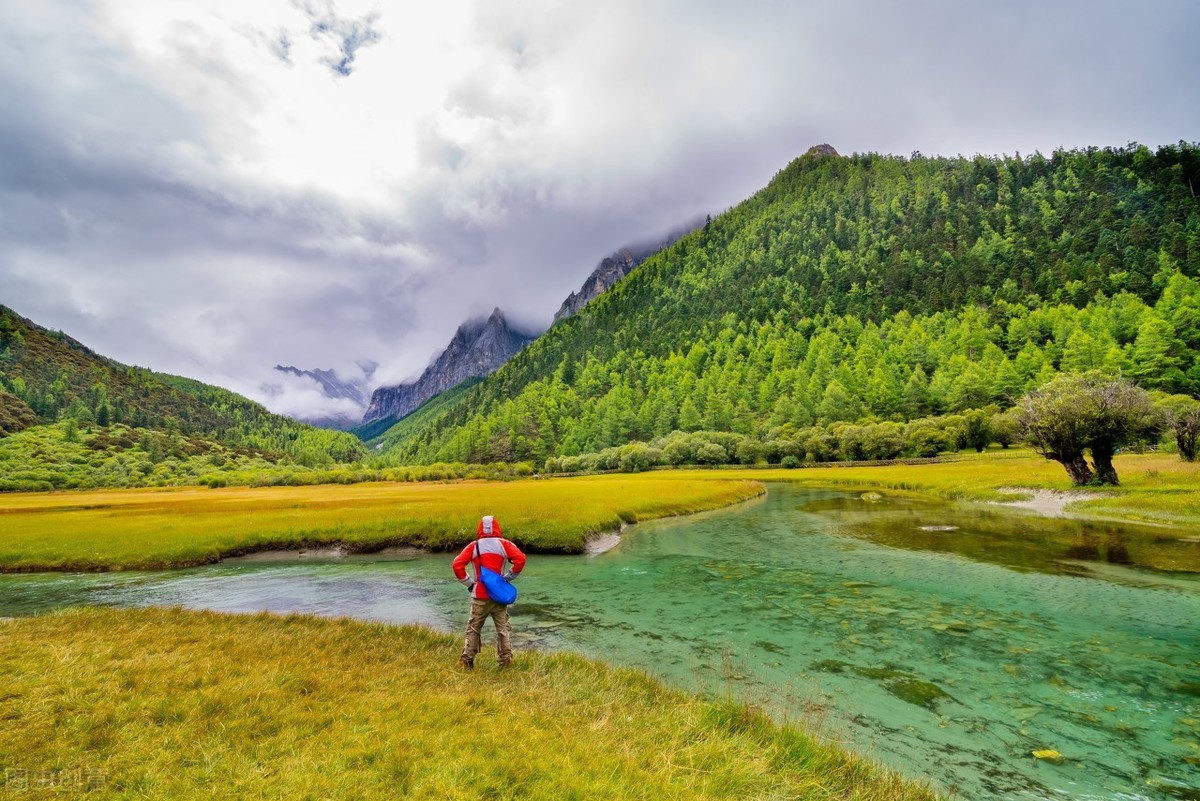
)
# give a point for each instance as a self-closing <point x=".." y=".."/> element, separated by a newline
<point x="154" y="528"/>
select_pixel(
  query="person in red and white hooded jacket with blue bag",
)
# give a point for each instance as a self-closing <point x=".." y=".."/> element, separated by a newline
<point x="491" y="551"/>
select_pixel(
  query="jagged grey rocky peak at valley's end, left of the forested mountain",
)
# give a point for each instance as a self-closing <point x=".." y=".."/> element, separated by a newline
<point x="477" y="350"/>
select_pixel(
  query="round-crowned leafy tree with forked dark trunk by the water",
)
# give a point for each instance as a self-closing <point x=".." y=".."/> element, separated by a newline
<point x="1083" y="413"/>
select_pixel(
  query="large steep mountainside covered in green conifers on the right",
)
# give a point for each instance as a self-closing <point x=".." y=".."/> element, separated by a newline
<point x="866" y="288"/>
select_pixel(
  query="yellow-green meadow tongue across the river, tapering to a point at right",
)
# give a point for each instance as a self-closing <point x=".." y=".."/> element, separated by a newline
<point x="153" y="528"/>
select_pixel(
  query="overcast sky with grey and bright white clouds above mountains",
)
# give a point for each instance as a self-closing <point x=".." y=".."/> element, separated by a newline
<point x="212" y="188"/>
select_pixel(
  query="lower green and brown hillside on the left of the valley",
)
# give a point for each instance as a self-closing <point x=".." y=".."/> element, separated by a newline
<point x="47" y="377"/>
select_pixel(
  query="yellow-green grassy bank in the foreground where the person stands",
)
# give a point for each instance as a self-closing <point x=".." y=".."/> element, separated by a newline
<point x="172" y="704"/>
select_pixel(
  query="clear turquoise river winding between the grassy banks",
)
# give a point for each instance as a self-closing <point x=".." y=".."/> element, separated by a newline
<point x="950" y="654"/>
